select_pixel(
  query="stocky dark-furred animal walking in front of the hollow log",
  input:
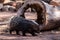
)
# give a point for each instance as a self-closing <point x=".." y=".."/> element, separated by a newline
<point x="25" y="26"/>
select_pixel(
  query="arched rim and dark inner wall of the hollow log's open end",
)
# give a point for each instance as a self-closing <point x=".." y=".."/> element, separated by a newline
<point x="38" y="6"/>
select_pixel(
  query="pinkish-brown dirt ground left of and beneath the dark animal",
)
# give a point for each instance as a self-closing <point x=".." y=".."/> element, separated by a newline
<point x="4" y="16"/>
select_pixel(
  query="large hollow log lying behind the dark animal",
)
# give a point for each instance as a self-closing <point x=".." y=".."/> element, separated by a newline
<point x="45" y="14"/>
